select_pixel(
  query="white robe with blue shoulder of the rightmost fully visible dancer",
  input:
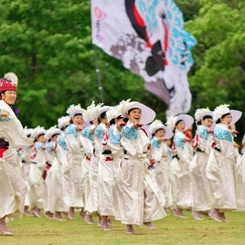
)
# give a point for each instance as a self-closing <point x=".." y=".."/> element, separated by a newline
<point x="220" y="170"/>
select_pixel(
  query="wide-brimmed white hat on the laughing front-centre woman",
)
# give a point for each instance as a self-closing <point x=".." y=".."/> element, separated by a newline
<point x="147" y="114"/>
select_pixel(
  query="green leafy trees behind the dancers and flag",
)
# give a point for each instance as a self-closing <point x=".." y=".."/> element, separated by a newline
<point x="48" y="45"/>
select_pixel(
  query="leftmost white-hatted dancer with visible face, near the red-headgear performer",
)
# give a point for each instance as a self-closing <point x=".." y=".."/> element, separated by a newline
<point x="37" y="168"/>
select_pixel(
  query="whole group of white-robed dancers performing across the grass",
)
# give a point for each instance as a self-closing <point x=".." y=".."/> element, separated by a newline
<point x="117" y="162"/>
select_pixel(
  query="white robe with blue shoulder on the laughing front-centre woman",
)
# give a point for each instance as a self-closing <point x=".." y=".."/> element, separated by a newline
<point x="139" y="198"/>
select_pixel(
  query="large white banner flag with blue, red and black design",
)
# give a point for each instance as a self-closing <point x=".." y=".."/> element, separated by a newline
<point x="148" y="36"/>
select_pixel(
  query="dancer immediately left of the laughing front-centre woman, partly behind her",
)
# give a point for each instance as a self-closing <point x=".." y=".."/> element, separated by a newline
<point x="108" y="162"/>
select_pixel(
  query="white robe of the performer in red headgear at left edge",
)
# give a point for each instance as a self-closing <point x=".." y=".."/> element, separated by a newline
<point x="12" y="183"/>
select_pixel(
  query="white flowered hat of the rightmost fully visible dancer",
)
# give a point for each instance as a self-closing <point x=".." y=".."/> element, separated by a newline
<point x="221" y="110"/>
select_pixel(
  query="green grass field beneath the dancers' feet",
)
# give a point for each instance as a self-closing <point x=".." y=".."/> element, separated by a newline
<point x="170" y="231"/>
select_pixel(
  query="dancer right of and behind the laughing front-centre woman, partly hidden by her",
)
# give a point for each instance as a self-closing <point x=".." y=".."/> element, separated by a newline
<point x="160" y="148"/>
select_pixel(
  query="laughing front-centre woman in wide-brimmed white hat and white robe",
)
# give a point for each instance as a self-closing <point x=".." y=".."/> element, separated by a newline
<point x="139" y="199"/>
